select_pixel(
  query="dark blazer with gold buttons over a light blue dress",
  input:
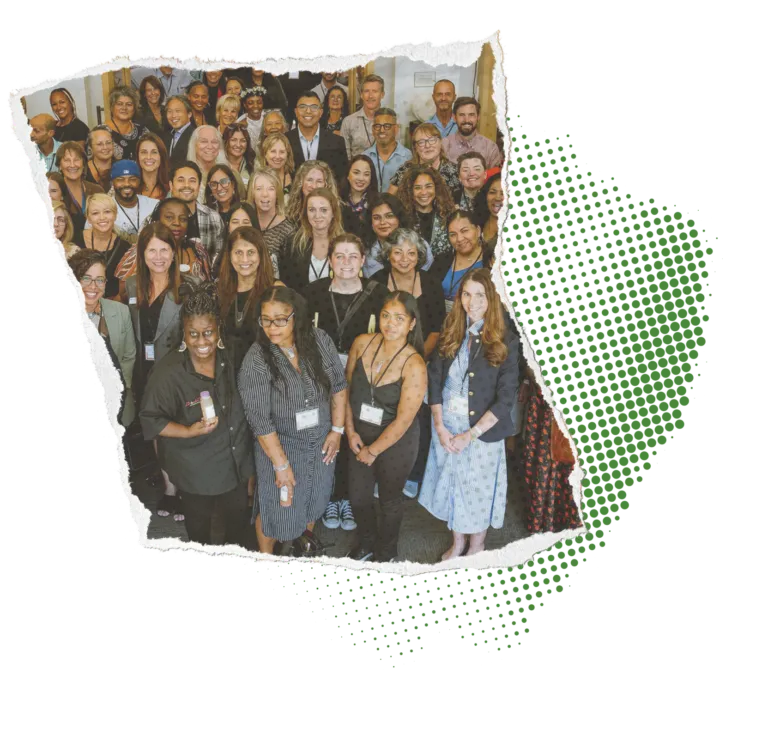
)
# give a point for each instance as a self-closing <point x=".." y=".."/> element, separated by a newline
<point x="490" y="388"/>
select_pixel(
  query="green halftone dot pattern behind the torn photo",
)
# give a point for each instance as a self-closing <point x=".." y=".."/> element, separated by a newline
<point x="613" y="294"/>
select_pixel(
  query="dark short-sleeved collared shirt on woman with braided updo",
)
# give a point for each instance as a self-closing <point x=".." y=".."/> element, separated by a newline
<point x="214" y="463"/>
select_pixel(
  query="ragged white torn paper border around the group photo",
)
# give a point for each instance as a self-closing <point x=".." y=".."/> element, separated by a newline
<point x="436" y="53"/>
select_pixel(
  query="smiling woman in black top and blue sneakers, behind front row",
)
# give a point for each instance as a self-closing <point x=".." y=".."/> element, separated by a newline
<point x="344" y="305"/>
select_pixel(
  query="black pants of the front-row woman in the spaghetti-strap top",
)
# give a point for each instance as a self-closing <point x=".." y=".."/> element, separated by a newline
<point x="390" y="470"/>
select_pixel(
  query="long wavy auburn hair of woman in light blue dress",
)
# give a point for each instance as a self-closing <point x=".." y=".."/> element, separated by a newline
<point x="494" y="329"/>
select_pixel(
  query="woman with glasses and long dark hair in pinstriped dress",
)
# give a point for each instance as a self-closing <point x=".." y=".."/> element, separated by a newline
<point x="295" y="397"/>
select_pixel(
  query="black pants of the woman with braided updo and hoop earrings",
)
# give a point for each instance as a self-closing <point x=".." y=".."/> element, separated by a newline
<point x="231" y="506"/>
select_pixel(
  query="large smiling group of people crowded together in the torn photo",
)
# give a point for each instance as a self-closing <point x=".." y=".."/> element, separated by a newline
<point x="302" y="316"/>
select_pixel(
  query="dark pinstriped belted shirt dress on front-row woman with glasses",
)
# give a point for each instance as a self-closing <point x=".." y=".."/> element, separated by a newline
<point x="271" y="408"/>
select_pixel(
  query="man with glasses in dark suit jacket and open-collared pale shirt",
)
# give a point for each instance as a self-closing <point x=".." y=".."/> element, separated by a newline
<point x="310" y="143"/>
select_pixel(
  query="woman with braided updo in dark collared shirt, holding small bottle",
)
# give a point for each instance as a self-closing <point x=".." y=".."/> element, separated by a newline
<point x="208" y="458"/>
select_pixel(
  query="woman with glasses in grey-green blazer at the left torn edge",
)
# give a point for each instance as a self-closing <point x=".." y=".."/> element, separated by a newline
<point x="111" y="318"/>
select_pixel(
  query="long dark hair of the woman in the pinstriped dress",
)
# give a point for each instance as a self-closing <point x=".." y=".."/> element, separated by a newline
<point x="303" y="334"/>
